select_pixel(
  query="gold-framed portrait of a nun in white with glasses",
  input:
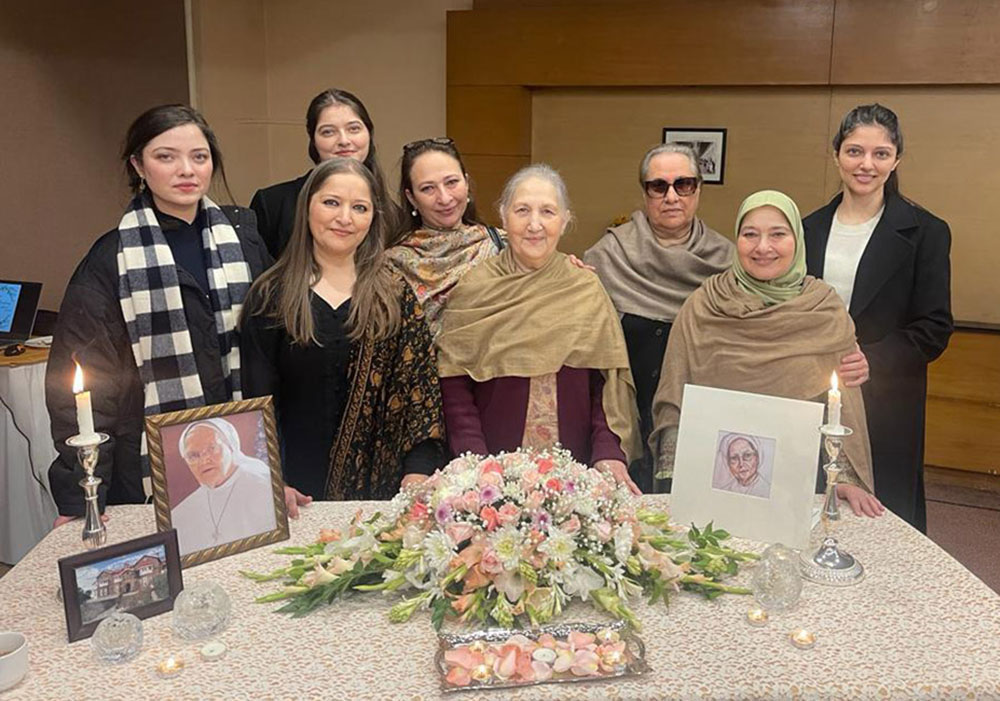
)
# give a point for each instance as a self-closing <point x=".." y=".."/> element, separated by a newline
<point x="217" y="478"/>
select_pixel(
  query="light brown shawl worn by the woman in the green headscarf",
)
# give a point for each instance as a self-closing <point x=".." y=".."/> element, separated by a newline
<point x="726" y="337"/>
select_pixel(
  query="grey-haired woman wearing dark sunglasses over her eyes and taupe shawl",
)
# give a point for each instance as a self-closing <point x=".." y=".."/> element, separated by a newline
<point x="650" y="264"/>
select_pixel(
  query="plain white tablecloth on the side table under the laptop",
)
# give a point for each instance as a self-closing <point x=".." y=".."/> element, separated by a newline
<point x="26" y="507"/>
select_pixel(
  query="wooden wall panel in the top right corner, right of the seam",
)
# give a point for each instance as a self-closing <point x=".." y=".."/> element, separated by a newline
<point x="916" y="42"/>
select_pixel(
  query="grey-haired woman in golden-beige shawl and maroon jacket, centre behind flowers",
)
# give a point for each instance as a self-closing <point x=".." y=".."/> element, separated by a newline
<point x="531" y="353"/>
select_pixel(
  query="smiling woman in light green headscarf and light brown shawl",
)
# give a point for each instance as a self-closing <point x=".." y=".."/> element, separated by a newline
<point x="764" y="326"/>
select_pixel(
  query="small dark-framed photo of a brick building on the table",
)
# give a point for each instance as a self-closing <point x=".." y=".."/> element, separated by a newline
<point x="140" y="576"/>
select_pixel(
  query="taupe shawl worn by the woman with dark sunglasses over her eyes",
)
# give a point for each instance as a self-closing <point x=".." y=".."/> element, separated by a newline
<point x="649" y="280"/>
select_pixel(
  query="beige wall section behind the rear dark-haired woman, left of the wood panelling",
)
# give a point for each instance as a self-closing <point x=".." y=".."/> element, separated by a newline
<point x="268" y="58"/>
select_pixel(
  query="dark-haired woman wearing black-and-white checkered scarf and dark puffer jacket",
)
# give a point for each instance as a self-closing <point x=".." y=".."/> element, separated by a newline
<point x="151" y="311"/>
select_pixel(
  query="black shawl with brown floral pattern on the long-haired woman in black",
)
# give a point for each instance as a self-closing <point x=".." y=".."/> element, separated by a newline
<point x="394" y="403"/>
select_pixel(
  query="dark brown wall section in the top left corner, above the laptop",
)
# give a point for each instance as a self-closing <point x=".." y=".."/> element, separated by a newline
<point x="71" y="84"/>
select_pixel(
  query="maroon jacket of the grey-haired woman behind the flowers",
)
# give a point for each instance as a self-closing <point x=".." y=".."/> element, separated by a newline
<point x="488" y="417"/>
